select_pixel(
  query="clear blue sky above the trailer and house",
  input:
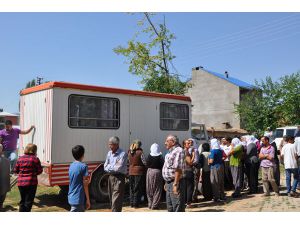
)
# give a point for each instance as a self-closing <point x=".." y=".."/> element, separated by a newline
<point x="78" y="47"/>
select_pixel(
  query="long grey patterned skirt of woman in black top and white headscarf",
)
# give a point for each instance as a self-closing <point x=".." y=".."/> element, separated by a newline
<point x="154" y="187"/>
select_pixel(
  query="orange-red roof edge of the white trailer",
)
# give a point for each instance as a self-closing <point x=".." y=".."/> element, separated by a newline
<point x="55" y="84"/>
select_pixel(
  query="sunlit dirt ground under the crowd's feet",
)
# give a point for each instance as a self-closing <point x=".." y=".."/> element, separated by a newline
<point x="49" y="200"/>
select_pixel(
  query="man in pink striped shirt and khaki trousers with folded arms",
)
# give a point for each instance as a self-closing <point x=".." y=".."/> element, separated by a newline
<point x="267" y="164"/>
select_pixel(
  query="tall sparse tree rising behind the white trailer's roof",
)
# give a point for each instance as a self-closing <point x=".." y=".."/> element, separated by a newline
<point x="151" y="59"/>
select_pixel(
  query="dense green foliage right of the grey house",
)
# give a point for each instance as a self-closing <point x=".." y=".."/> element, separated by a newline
<point x="271" y="104"/>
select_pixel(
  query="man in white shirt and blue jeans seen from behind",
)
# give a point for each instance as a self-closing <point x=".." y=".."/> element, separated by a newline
<point x="290" y="156"/>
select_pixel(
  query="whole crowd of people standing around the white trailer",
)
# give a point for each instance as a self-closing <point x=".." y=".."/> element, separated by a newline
<point x="182" y="174"/>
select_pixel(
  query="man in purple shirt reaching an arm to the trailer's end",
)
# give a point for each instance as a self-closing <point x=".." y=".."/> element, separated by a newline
<point x="9" y="137"/>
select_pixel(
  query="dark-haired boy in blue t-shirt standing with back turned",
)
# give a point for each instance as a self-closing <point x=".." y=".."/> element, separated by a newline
<point x="79" y="182"/>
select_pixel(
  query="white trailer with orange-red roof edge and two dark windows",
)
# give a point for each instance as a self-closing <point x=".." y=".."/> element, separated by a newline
<point x="68" y="114"/>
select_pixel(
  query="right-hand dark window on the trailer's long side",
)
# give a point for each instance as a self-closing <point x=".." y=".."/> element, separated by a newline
<point x="174" y="116"/>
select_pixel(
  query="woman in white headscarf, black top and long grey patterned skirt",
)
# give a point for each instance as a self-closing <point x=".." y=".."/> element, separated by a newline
<point x="154" y="180"/>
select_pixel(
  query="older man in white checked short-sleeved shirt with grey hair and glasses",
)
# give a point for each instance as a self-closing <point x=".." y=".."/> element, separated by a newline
<point x="172" y="174"/>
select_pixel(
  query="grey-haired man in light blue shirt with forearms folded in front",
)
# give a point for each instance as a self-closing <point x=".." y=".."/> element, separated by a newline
<point x="116" y="166"/>
